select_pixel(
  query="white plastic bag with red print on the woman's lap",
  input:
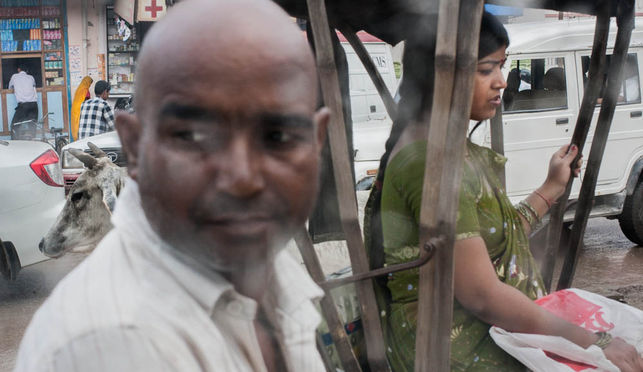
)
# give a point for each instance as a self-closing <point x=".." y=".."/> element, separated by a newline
<point x="588" y="310"/>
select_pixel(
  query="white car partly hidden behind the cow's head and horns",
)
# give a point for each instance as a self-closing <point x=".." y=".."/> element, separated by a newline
<point x="108" y="142"/>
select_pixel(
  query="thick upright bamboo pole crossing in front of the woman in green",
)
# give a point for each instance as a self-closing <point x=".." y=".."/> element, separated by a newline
<point x="456" y="57"/>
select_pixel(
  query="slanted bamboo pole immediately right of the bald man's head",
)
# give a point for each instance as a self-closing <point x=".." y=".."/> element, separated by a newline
<point x="327" y="69"/>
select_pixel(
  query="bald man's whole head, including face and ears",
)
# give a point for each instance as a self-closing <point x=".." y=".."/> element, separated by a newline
<point x="225" y="142"/>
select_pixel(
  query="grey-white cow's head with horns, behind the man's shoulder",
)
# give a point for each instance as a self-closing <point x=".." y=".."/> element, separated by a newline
<point x="85" y="218"/>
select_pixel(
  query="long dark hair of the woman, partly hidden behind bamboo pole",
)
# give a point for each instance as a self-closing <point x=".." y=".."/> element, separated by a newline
<point x="418" y="61"/>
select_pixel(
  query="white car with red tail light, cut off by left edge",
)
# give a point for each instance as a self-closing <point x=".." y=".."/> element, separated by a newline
<point x="31" y="197"/>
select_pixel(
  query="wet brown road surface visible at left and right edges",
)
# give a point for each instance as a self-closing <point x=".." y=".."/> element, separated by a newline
<point x="610" y="265"/>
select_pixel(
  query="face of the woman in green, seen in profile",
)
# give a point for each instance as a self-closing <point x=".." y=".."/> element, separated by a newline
<point x="487" y="85"/>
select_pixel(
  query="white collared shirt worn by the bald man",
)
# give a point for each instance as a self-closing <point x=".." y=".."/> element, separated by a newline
<point x="135" y="304"/>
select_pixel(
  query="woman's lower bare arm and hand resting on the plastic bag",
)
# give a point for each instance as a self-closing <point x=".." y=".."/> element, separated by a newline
<point x="479" y="290"/>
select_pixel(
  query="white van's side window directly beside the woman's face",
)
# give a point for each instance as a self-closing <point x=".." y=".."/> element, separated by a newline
<point x="536" y="85"/>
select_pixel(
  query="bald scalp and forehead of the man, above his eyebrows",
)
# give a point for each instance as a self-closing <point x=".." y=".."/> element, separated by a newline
<point x="237" y="39"/>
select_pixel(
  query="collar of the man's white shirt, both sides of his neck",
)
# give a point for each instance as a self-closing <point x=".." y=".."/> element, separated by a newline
<point x="290" y="285"/>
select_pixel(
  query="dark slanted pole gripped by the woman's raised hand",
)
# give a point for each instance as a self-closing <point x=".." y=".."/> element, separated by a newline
<point x="583" y="123"/>
